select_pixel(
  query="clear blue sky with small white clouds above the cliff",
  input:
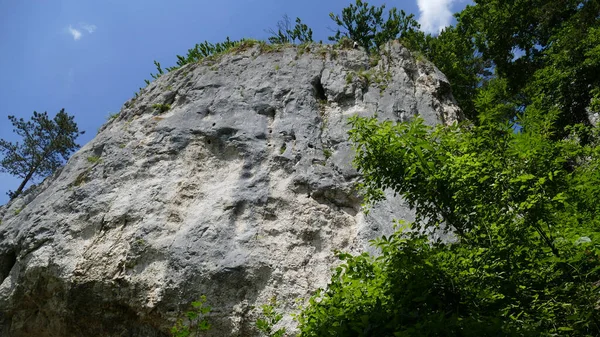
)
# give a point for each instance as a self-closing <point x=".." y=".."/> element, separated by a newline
<point x="90" y="56"/>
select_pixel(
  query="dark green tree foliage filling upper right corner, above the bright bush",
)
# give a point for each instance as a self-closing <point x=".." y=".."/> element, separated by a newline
<point x="544" y="54"/>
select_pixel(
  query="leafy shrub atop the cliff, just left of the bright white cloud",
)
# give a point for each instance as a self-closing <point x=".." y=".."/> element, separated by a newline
<point x="367" y="25"/>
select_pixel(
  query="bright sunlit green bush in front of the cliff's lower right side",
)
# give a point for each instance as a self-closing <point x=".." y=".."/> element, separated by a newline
<point x="524" y="208"/>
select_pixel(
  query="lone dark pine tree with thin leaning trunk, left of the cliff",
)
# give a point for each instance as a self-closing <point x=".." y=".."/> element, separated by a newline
<point x="46" y="144"/>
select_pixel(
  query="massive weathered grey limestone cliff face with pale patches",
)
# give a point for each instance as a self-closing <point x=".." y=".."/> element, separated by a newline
<point x="240" y="190"/>
